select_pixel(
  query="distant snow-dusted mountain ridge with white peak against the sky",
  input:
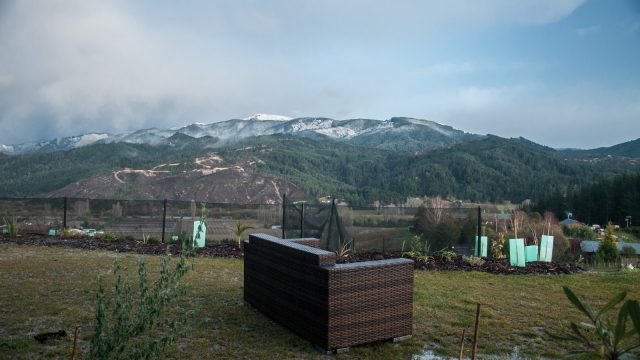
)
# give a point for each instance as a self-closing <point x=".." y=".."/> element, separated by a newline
<point x="398" y="133"/>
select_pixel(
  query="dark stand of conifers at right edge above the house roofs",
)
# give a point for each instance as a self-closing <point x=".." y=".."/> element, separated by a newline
<point x="611" y="199"/>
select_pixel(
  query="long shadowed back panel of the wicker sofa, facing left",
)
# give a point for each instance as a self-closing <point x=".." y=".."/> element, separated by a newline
<point x="285" y="280"/>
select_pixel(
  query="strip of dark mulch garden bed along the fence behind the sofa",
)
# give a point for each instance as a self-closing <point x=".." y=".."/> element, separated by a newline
<point x="494" y="266"/>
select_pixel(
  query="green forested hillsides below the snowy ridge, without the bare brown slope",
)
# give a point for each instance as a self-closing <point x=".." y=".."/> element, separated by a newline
<point x="489" y="169"/>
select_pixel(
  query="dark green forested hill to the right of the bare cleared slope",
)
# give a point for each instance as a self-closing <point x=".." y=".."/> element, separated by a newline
<point x="492" y="169"/>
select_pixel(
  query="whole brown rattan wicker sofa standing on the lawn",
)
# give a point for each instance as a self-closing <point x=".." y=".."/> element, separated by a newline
<point x="334" y="306"/>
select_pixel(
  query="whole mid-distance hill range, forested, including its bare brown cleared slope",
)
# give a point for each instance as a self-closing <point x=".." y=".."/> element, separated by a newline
<point x="489" y="169"/>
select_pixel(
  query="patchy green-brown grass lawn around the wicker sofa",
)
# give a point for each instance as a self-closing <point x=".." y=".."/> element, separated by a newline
<point x="51" y="289"/>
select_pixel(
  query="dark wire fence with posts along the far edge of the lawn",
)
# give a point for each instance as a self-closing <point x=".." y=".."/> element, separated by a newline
<point x="381" y="229"/>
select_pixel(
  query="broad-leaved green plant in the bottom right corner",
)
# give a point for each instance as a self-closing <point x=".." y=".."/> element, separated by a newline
<point x="611" y="341"/>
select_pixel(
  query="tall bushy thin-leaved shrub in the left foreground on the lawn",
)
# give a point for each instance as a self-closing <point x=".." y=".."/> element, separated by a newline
<point x="130" y="324"/>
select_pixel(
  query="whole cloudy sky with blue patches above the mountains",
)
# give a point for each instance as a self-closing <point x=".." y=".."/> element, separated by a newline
<point x="564" y="73"/>
